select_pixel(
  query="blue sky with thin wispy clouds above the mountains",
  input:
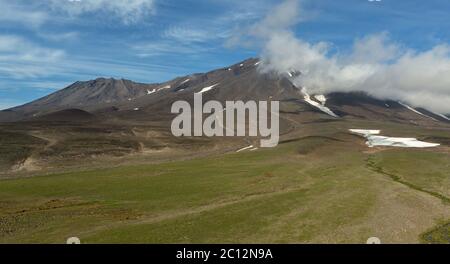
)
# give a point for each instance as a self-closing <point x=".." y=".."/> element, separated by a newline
<point x="46" y="45"/>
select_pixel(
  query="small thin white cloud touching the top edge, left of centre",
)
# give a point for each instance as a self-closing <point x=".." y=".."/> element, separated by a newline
<point x="130" y="11"/>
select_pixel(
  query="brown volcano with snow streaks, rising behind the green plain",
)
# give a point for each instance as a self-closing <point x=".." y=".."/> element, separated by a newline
<point x="122" y="117"/>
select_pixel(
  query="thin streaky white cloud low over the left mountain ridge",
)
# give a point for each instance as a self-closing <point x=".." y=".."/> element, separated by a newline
<point x="26" y="63"/>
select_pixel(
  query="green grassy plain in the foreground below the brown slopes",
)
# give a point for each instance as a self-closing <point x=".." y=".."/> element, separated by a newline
<point x="326" y="188"/>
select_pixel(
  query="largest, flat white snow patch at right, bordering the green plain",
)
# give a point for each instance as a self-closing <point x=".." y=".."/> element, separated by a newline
<point x="373" y="139"/>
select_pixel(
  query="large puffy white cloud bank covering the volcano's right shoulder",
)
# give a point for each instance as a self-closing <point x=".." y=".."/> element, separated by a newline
<point x="375" y="65"/>
